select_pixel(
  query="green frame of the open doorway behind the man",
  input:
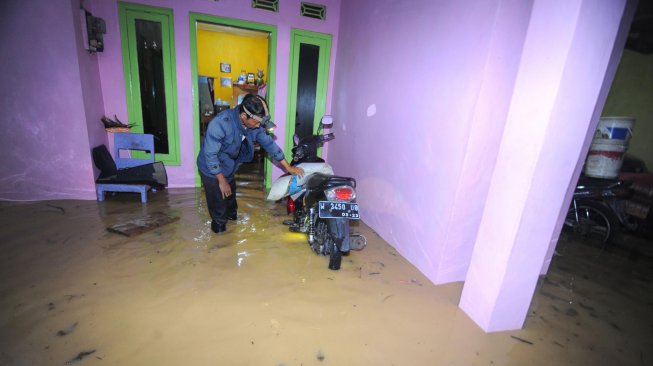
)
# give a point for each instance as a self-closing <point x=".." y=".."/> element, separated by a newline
<point x="272" y="66"/>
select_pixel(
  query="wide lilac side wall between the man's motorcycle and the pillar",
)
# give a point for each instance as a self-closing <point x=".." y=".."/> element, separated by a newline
<point x="424" y="158"/>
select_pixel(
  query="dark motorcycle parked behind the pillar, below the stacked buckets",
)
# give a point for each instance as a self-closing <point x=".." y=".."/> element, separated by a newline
<point x="602" y="208"/>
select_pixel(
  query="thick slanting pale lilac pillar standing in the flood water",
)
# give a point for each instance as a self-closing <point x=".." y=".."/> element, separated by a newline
<point x="554" y="107"/>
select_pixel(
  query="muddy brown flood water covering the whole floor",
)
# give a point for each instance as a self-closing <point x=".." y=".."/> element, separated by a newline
<point x="73" y="293"/>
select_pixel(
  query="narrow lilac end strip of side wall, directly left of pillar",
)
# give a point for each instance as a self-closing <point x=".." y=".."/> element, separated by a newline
<point x="510" y="21"/>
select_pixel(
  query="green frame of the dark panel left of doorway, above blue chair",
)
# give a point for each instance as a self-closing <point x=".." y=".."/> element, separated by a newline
<point x="128" y="13"/>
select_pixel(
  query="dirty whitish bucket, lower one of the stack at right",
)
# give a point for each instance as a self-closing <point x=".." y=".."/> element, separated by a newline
<point x="605" y="158"/>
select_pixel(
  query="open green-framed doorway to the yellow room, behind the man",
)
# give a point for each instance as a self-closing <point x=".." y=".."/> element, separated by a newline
<point x="229" y="59"/>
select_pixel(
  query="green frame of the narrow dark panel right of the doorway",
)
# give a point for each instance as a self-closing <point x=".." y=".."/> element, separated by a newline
<point x="323" y="41"/>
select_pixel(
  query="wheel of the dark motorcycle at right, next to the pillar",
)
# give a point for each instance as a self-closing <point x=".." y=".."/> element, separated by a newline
<point x="593" y="221"/>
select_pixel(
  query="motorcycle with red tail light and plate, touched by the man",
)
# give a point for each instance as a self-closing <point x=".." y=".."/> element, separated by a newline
<point x="321" y="203"/>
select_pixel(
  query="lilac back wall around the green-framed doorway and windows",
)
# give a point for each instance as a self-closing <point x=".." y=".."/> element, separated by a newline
<point x="111" y="69"/>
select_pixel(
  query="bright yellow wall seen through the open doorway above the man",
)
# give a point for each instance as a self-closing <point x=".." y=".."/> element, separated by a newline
<point x="243" y="53"/>
